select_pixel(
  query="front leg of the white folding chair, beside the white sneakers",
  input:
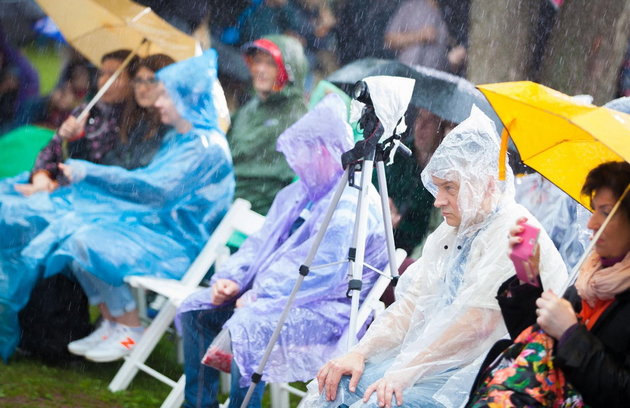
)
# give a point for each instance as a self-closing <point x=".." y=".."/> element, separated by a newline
<point x="143" y="349"/>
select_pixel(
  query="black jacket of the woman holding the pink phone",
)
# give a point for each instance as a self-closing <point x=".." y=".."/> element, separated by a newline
<point x="595" y="362"/>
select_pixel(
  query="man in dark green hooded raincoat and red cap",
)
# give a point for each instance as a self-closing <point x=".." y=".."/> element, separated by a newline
<point x="278" y="66"/>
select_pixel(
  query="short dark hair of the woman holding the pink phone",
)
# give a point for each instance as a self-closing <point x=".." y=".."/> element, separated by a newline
<point x="612" y="175"/>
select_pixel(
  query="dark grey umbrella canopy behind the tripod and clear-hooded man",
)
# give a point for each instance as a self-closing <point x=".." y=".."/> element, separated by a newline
<point x="446" y="95"/>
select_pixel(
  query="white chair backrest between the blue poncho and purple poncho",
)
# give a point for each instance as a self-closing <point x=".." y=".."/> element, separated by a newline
<point x="239" y="218"/>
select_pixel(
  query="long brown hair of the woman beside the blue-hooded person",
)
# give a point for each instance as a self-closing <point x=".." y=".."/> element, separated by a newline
<point x="134" y="113"/>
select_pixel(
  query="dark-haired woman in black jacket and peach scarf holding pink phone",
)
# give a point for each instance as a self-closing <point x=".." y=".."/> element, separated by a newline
<point x="590" y="323"/>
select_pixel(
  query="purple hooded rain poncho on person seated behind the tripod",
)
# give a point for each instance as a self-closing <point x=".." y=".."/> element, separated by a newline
<point x="266" y="265"/>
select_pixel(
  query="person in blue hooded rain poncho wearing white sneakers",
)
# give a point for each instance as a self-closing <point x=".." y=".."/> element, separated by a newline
<point x="148" y="221"/>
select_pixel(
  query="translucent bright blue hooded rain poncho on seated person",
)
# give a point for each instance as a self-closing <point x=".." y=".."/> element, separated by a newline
<point x="116" y="222"/>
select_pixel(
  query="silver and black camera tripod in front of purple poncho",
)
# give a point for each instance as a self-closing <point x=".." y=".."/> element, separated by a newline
<point x="362" y="157"/>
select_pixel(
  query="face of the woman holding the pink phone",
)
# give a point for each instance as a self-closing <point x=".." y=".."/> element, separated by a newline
<point x="615" y="239"/>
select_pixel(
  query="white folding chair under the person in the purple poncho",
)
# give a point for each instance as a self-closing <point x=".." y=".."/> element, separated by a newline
<point x="371" y="305"/>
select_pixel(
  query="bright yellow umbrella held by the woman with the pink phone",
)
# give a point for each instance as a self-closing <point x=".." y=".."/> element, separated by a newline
<point x="558" y="137"/>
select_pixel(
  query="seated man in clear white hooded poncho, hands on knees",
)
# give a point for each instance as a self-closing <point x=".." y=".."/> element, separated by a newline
<point x="425" y="349"/>
